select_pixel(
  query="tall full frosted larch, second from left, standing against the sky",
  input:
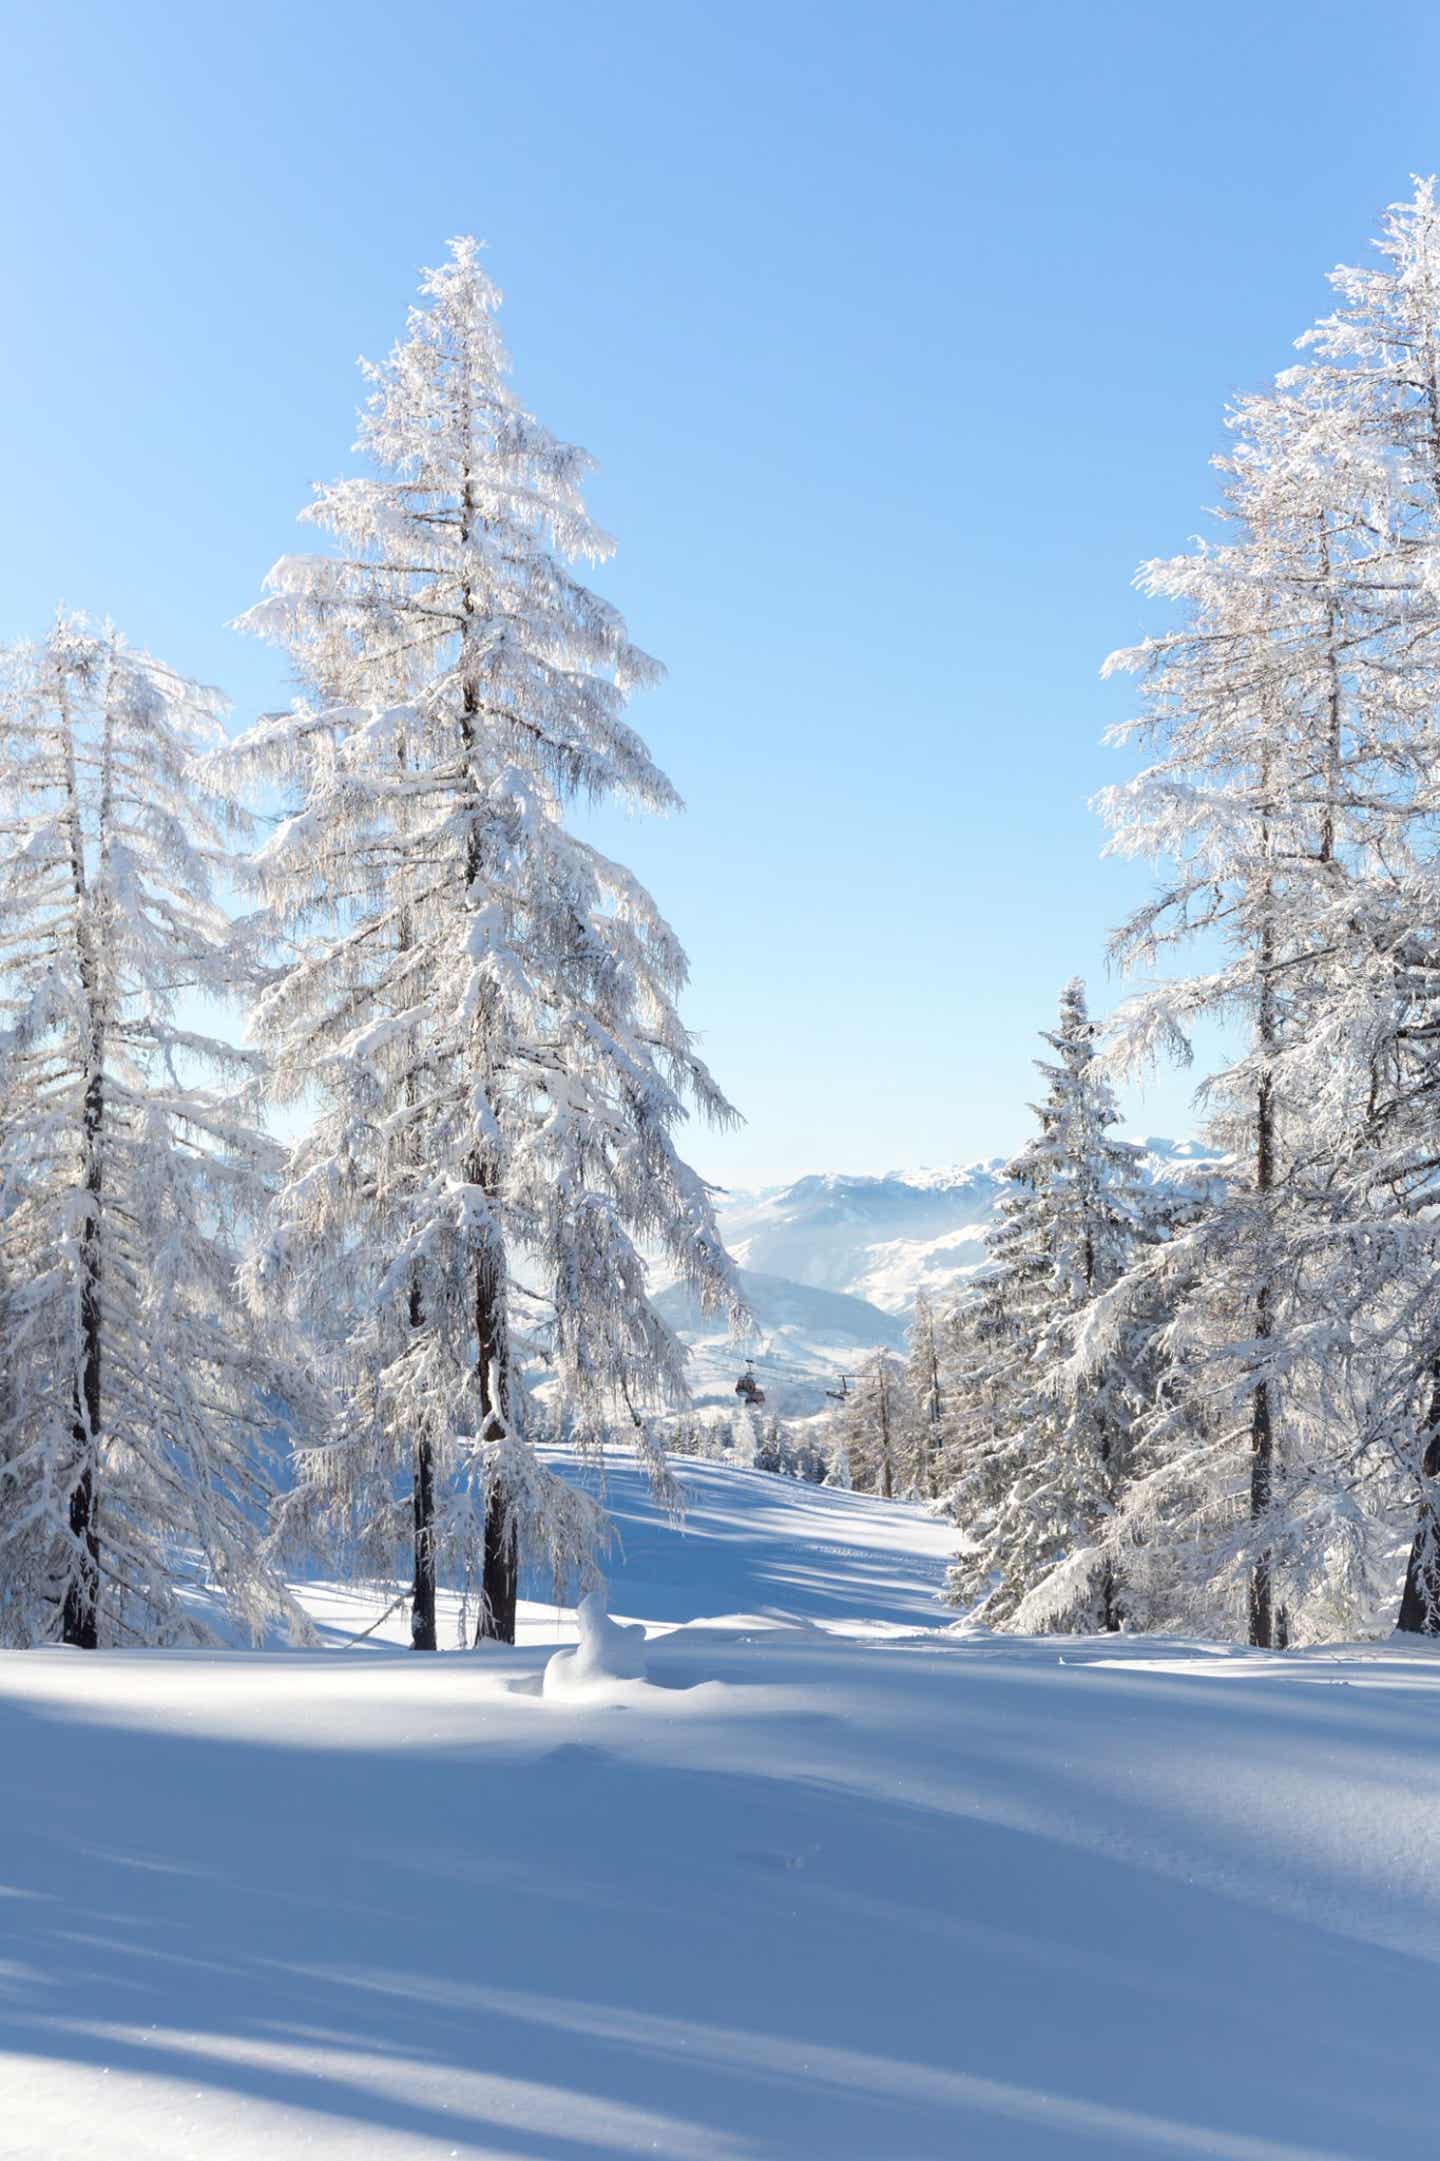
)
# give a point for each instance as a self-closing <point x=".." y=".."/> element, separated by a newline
<point x="477" y="999"/>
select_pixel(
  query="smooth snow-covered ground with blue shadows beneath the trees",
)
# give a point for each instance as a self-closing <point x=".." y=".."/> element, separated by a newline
<point x="829" y="1885"/>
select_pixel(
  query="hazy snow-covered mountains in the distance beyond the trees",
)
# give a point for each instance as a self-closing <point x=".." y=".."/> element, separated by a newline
<point x="831" y="1267"/>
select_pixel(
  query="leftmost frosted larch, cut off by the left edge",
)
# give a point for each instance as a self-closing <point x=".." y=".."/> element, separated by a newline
<point x="137" y="1401"/>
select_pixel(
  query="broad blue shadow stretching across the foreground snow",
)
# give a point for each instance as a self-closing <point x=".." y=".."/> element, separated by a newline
<point x="585" y="1955"/>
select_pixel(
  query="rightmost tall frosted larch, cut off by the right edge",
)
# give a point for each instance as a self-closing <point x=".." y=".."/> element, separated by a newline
<point x="1378" y="375"/>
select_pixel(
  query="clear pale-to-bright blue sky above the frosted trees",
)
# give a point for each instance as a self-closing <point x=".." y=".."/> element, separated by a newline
<point x="901" y="336"/>
